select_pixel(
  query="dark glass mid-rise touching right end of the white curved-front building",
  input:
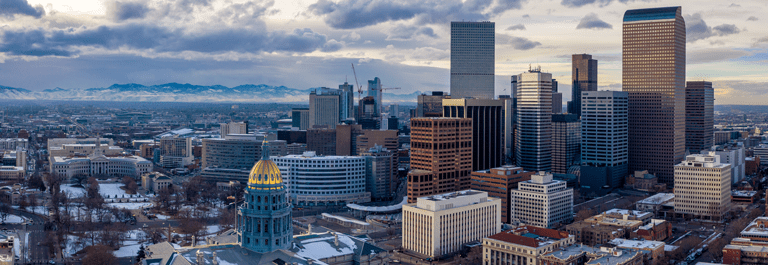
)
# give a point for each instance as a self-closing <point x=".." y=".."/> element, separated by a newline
<point x="380" y="172"/>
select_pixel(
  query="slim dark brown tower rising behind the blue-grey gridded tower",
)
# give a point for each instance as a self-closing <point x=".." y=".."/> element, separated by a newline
<point x="584" y="73"/>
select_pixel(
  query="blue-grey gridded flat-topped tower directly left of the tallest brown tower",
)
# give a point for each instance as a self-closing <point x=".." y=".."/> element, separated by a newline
<point x="604" y="140"/>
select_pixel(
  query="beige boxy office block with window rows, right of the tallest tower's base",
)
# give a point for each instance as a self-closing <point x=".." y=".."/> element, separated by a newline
<point x="702" y="187"/>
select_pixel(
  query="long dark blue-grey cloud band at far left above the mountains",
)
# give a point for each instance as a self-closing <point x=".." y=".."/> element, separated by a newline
<point x="39" y="42"/>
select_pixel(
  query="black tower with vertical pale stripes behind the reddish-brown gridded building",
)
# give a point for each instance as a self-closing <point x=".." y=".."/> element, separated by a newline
<point x="487" y="128"/>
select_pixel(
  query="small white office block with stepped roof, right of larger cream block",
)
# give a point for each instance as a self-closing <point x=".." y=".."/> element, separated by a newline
<point x="542" y="201"/>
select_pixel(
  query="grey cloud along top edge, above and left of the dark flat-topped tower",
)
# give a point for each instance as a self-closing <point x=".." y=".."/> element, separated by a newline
<point x="350" y="14"/>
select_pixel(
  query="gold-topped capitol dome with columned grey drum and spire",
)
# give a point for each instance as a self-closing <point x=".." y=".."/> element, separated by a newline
<point x="264" y="220"/>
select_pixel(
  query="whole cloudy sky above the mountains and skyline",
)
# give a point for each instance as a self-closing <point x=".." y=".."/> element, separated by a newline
<point x="301" y="44"/>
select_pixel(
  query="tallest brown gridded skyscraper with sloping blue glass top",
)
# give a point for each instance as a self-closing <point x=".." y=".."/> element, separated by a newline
<point x="654" y="76"/>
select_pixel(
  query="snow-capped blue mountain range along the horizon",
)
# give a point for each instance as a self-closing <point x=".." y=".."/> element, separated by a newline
<point x="175" y="92"/>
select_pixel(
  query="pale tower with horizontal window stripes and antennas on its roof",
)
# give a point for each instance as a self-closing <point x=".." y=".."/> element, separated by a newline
<point x="533" y="145"/>
